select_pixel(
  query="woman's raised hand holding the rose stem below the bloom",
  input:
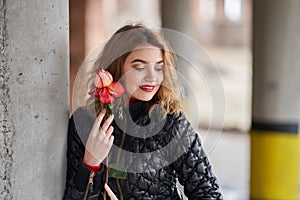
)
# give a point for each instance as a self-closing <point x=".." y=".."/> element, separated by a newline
<point x="100" y="141"/>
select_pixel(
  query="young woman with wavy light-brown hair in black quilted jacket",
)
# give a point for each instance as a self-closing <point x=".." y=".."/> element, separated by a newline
<point x="148" y="134"/>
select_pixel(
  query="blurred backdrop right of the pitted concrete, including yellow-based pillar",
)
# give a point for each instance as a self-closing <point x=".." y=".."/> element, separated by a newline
<point x="250" y="47"/>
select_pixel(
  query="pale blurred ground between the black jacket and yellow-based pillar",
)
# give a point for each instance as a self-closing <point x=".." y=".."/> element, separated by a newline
<point x="228" y="153"/>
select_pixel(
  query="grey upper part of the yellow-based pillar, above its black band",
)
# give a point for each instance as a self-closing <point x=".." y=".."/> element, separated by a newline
<point x="276" y="61"/>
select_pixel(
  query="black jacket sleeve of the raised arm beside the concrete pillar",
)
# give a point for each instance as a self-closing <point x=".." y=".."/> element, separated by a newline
<point x="77" y="174"/>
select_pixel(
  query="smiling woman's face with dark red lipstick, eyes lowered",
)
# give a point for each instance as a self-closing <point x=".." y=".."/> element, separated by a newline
<point x="143" y="72"/>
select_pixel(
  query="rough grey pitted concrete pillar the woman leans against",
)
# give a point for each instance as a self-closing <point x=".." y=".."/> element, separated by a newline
<point x="34" y="101"/>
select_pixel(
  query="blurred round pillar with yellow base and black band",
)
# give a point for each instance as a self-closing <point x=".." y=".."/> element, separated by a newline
<point x="276" y="108"/>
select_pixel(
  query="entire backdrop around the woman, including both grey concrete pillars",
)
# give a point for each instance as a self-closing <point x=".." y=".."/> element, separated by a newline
<point x="240" y="59"/>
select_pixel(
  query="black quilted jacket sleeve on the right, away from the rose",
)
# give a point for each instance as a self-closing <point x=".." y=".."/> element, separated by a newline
<point x="193" y="168"/>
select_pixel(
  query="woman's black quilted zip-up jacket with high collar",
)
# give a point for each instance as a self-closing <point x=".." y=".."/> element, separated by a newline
<point x="155" y="154"/>
